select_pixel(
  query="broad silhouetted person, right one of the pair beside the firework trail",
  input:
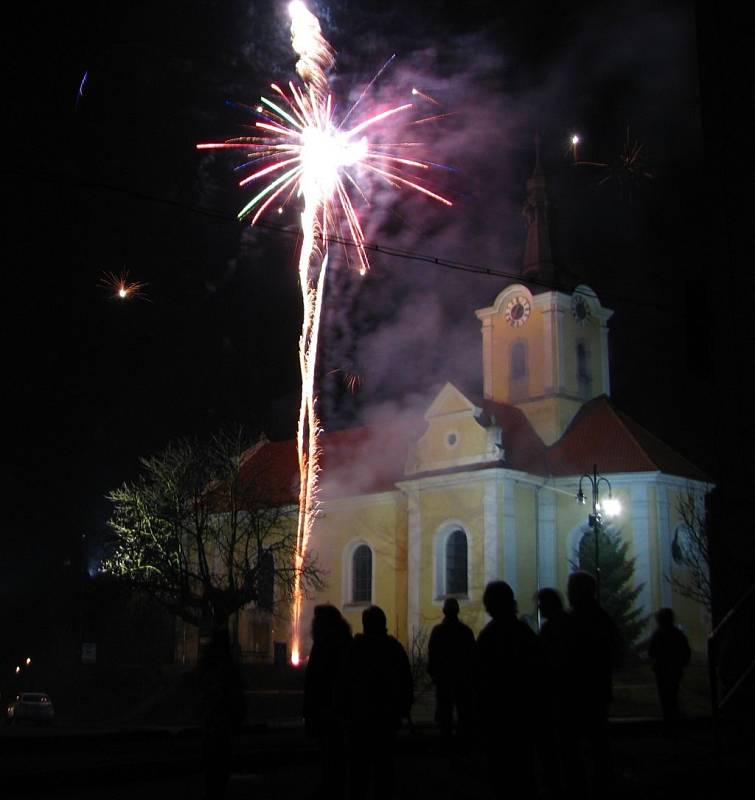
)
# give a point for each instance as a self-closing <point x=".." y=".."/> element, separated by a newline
<point x="379" y="696"/>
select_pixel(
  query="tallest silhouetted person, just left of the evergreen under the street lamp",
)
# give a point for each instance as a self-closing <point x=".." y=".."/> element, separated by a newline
<point x="595" y="650"/>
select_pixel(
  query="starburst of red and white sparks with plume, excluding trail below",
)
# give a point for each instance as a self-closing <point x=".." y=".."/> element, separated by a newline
<point x="306" y="153"/>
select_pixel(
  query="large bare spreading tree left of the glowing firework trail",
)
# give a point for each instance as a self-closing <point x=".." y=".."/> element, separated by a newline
<point x="209" y="528"/>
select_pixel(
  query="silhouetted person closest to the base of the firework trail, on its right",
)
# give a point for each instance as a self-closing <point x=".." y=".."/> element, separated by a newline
<point x="323" y="709"/>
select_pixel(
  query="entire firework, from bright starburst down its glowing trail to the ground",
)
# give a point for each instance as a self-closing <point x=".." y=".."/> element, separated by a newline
<point x="301" y="151"/>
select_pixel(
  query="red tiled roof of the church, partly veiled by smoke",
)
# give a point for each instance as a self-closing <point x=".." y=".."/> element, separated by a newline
<point x="371" y="459"/>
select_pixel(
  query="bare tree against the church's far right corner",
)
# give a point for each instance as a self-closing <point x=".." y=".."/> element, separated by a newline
<point x="690" y="549"/>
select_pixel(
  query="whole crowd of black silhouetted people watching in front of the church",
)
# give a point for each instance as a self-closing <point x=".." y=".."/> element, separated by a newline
<point x="524" y="698"/>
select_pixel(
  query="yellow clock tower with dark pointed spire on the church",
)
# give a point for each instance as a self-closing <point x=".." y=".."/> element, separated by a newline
<point x="544" y="351"/>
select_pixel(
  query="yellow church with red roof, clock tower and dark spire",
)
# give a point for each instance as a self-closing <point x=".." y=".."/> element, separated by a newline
<point x="485" y="488"/>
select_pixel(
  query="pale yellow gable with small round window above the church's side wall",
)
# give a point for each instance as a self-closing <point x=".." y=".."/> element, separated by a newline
<point x="455" y="435"/>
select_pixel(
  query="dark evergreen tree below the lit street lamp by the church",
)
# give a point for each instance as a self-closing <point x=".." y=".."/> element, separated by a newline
<point x="617" y="592"/>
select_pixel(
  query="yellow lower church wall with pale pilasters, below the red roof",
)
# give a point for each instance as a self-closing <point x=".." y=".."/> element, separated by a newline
<point x="505" y="517"/>
